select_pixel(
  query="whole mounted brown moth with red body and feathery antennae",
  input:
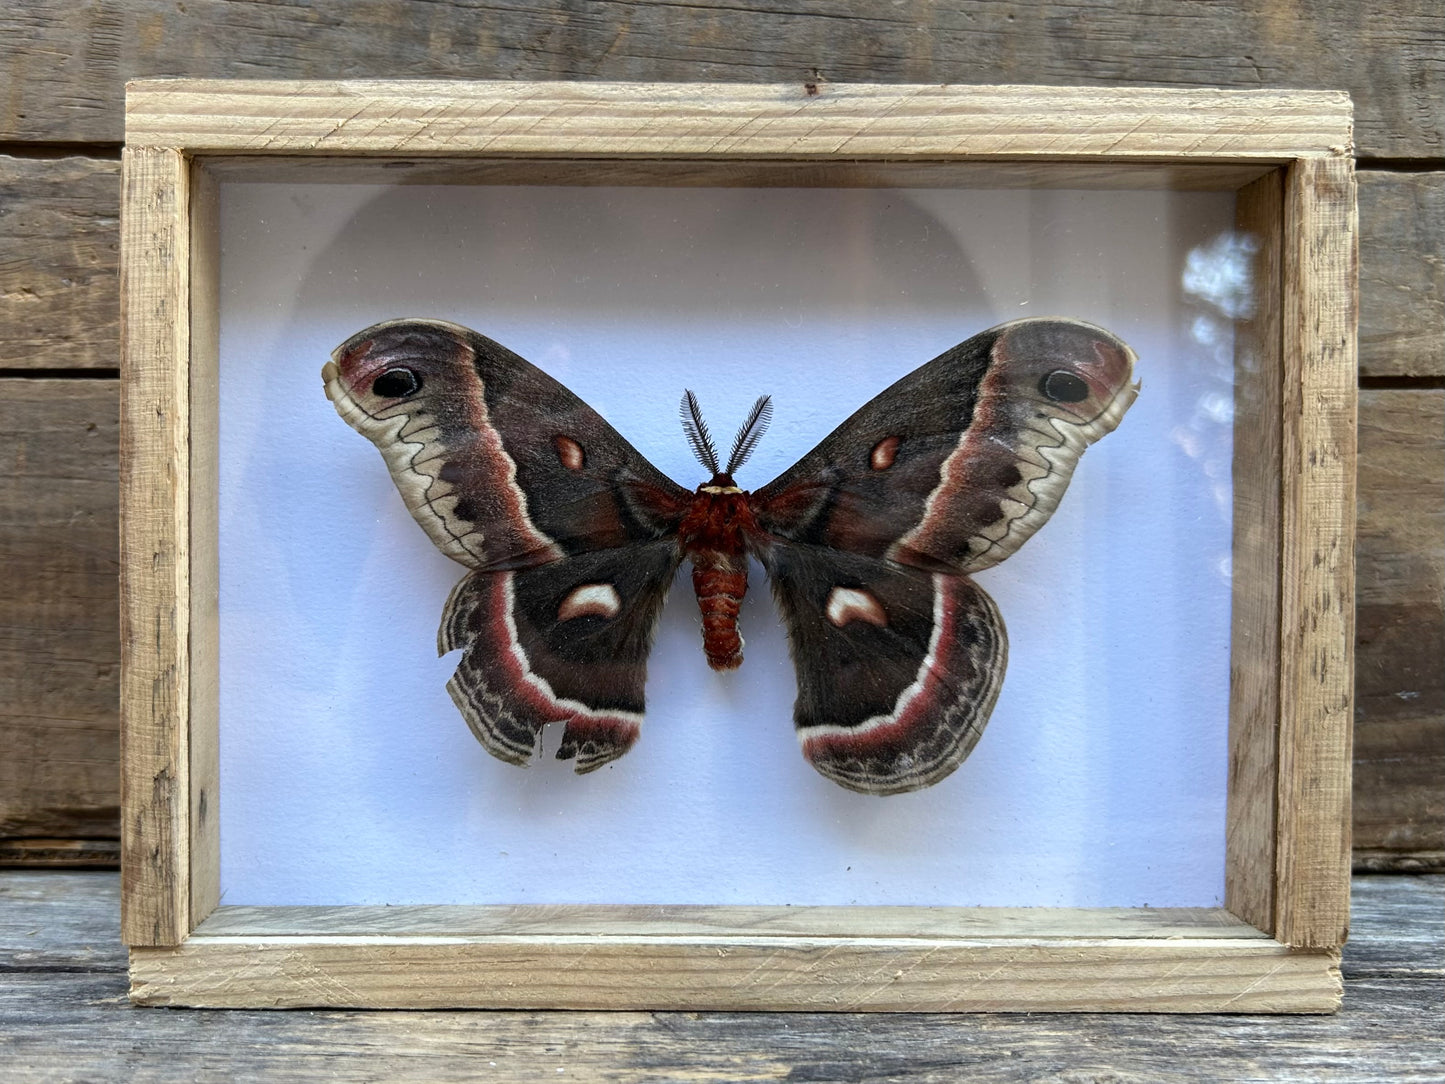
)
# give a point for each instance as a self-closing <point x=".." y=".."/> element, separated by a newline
<point x="871" y="540"/>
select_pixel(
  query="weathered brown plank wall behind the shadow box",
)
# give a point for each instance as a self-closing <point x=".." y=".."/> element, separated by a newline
<point x="63" y="70"/>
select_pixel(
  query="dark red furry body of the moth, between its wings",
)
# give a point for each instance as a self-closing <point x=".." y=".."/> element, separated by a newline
<point x="715" y="538"/>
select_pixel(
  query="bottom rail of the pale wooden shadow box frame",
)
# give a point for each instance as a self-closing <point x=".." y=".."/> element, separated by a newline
<point x="832" y="959"/>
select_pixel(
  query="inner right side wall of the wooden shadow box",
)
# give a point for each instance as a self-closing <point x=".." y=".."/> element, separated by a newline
<point x="1249" y="875"/>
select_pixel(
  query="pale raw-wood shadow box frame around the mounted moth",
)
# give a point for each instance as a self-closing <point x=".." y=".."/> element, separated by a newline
<point x="1274" y="947"/>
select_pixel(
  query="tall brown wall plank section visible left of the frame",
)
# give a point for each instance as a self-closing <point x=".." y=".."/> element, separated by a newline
<point x="59" y="653"/>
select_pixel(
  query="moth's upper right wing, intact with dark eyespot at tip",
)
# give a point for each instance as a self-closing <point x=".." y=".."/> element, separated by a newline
<point x="957" y="465"/>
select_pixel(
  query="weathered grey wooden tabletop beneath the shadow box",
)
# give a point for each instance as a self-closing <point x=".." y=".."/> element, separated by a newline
<point x="64" y="1017"/>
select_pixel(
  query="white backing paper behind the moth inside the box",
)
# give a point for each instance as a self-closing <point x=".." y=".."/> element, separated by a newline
<point x="348" y="775"/>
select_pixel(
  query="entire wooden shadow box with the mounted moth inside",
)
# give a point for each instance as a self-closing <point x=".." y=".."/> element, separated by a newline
<point x="508" y="288"/>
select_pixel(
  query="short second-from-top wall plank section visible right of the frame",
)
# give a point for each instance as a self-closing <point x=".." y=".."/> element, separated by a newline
<point x="1402" y="274"/>
